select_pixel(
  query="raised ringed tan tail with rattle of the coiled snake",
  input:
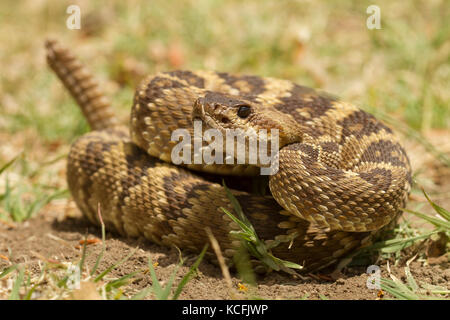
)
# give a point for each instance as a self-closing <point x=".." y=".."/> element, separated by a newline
<point x="82" y="85"/>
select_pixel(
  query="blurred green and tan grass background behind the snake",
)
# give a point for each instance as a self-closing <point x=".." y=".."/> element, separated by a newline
<point x="402" y="69"/>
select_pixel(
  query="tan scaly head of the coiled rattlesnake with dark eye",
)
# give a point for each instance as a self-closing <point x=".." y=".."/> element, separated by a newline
<point x="247" y="114"/>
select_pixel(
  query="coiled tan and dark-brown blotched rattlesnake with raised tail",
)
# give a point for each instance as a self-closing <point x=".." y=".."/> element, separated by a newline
<point x="343" y="176"/>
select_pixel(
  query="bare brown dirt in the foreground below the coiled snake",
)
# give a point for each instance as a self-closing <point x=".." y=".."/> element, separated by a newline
<point x="56" y="238"/>
